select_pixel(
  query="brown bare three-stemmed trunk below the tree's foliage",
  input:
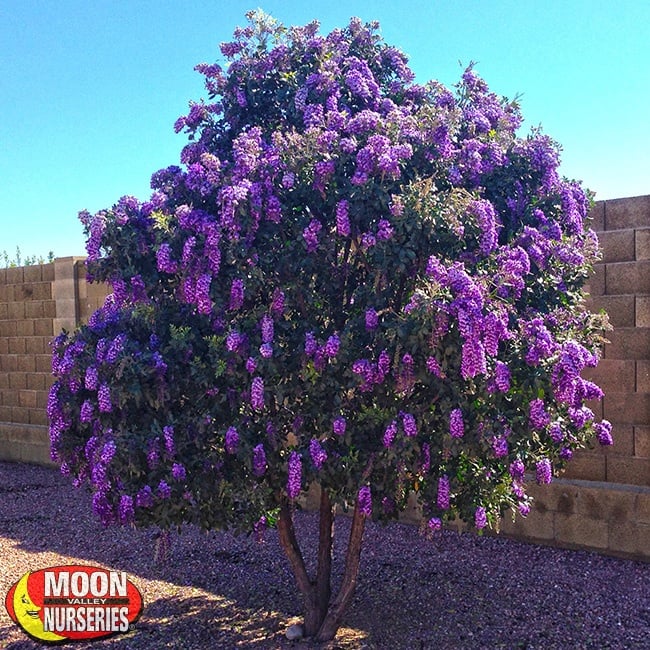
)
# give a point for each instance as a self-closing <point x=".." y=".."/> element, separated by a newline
<point x="323" y="616"/>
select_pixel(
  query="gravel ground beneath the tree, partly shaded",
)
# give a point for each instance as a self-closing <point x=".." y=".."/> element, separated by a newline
<point x="217" y="591"/>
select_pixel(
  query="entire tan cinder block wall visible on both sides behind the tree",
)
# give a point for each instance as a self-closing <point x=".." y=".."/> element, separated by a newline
<point x="601" y="503"/>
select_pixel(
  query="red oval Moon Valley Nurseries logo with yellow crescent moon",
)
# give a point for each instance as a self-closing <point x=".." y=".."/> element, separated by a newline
<point x="73" y="603"/>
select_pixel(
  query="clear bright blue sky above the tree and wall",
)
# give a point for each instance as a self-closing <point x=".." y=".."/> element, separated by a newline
<point x="90" y="89"/>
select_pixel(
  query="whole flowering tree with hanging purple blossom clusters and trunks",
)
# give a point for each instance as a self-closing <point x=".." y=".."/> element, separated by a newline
<point x="354" y="282"/>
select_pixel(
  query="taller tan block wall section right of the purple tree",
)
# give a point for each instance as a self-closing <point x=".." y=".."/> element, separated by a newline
<point x="602" y="502"/>
